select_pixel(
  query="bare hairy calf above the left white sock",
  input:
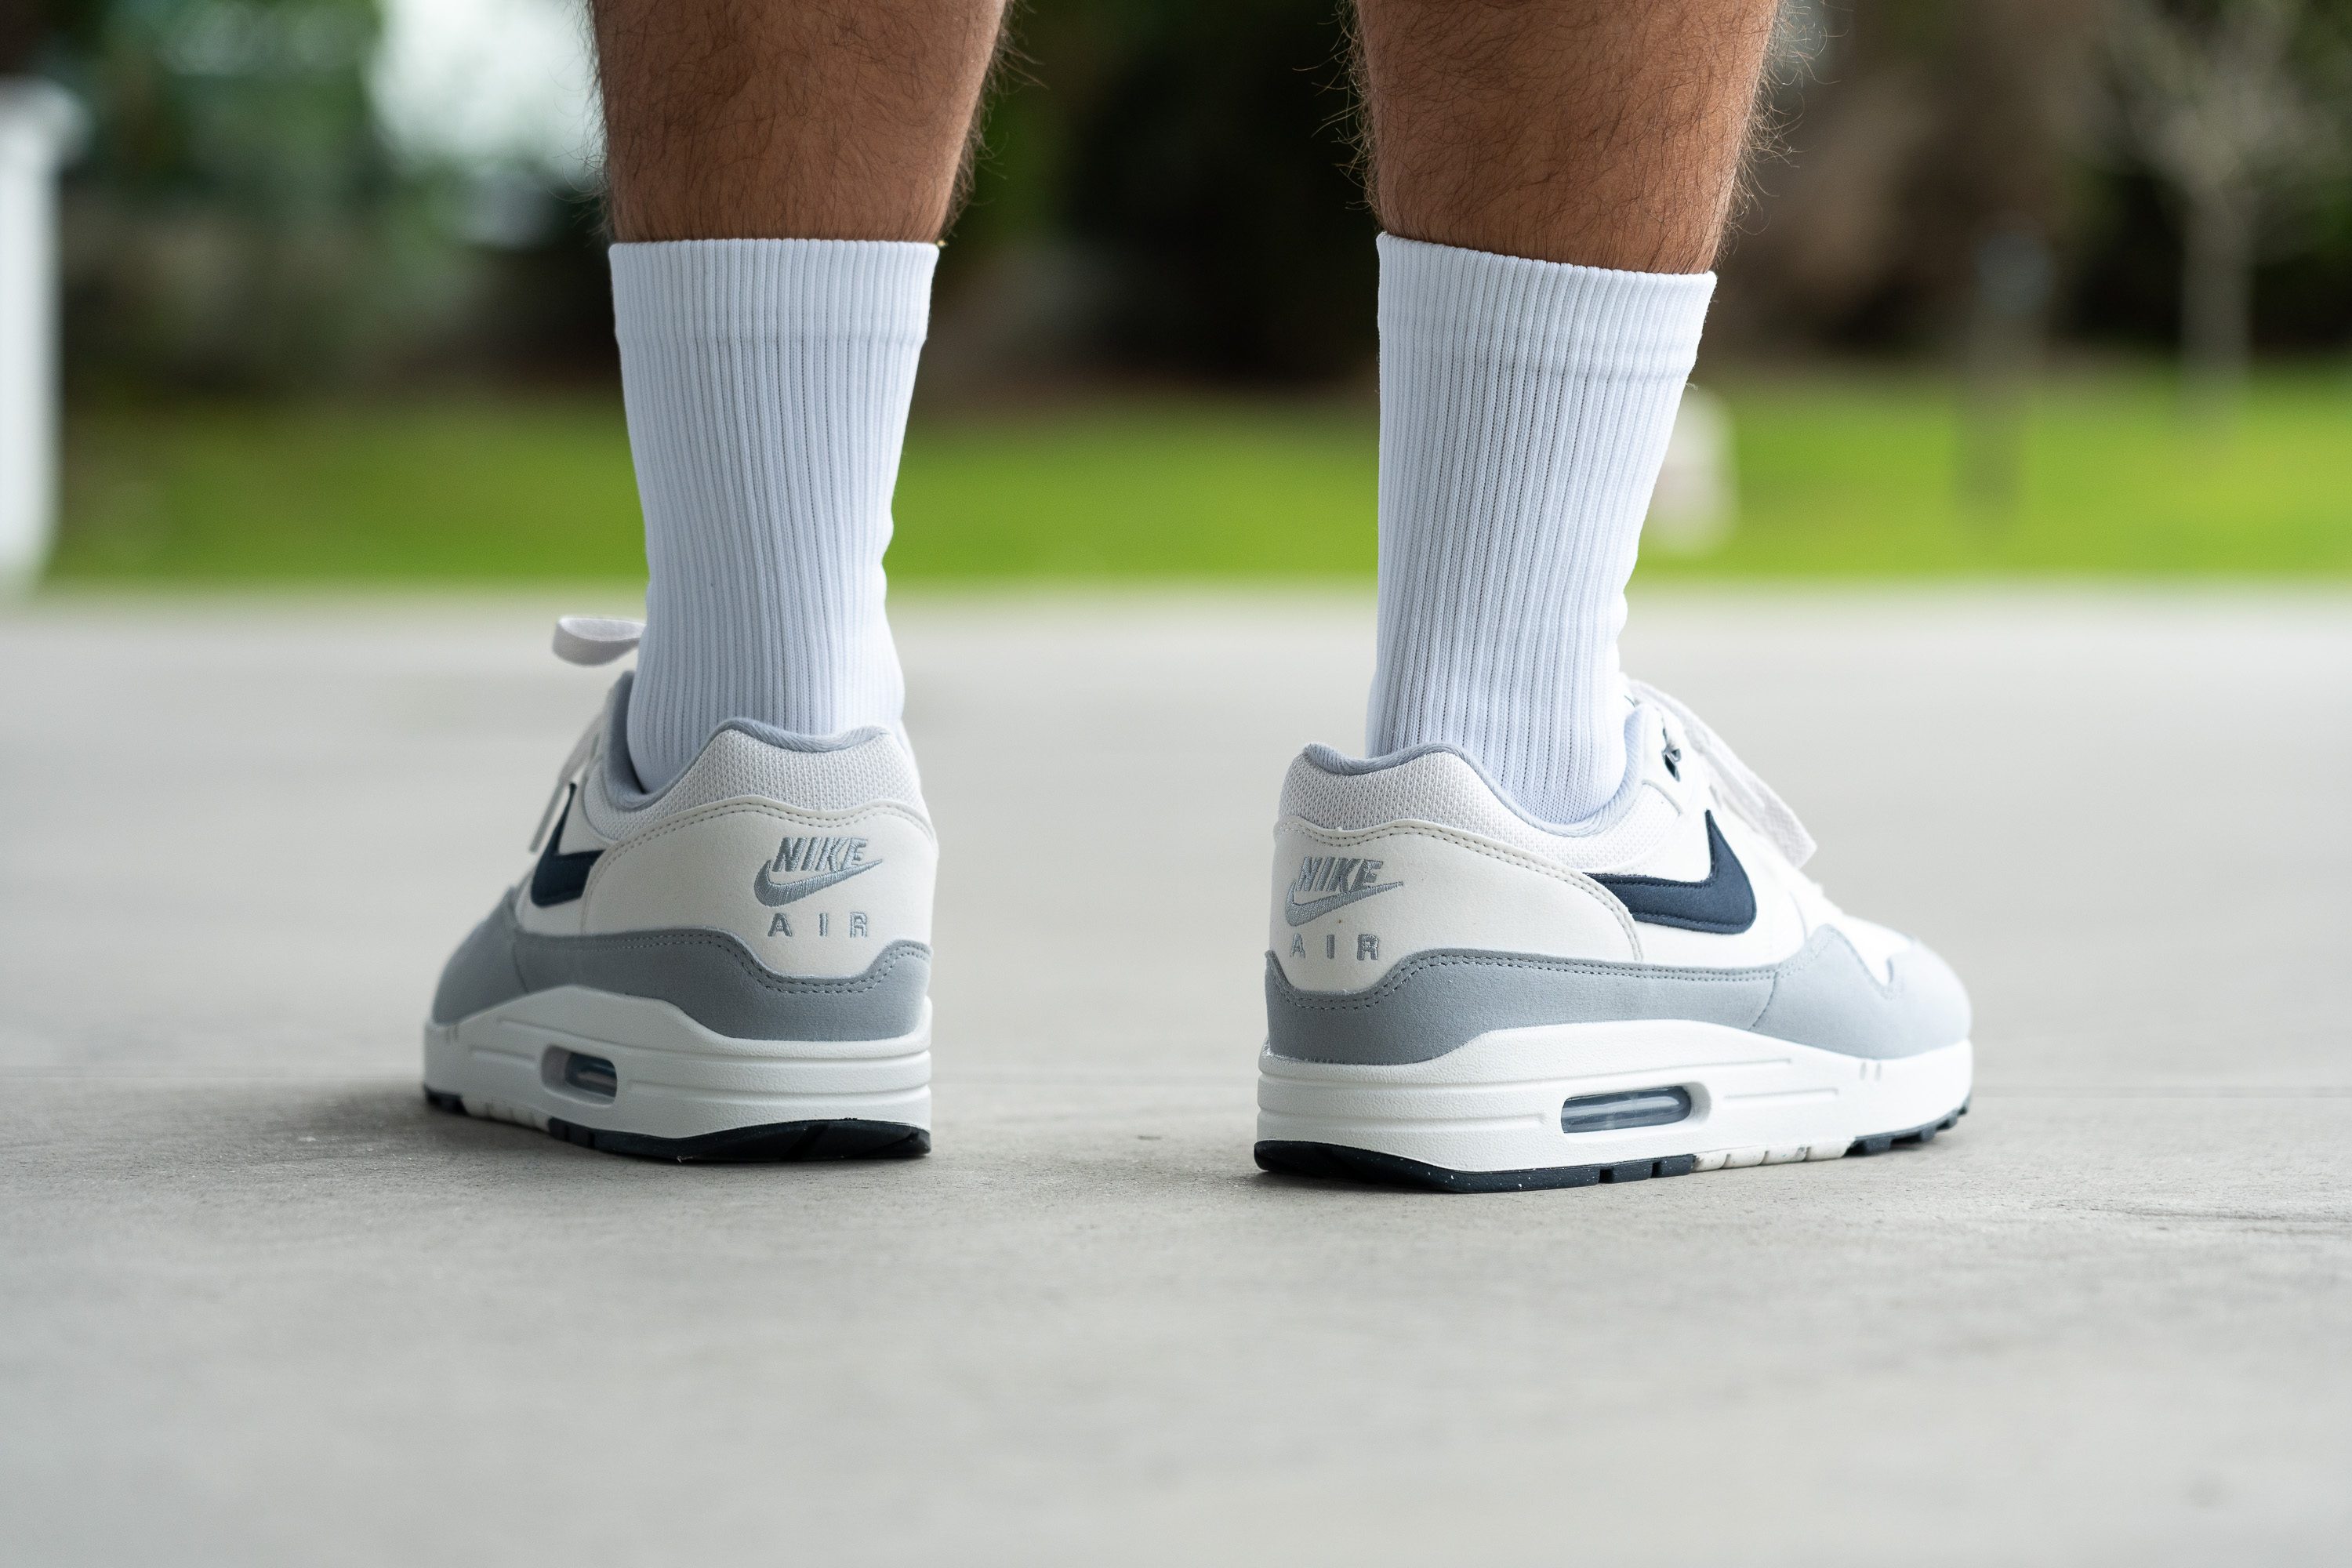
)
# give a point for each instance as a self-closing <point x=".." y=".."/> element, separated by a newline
<point x="789" y="121"/>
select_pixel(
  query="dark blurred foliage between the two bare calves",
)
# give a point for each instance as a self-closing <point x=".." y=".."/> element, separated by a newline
<point x="1180" y="175"/>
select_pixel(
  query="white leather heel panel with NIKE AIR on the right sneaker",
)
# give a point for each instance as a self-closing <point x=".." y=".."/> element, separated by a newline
<point x="1455" y="890"/>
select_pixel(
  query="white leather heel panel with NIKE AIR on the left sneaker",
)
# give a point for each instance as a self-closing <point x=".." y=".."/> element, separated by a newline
<point x="704" y="869"/>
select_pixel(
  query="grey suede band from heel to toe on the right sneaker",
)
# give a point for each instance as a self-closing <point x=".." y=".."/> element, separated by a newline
<point x="1441" y="1000"/>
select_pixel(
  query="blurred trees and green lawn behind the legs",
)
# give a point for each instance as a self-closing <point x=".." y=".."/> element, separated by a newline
<point x="326" y="326"/>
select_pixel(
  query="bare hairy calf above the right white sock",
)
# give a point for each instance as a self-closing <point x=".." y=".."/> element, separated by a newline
<point x="1563" y="130"/>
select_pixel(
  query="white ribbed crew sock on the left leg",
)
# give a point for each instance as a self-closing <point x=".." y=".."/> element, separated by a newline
<point x="768" y="389"/>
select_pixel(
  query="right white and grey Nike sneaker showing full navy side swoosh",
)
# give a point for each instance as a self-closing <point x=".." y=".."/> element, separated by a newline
<point x="1471" y="1000"/>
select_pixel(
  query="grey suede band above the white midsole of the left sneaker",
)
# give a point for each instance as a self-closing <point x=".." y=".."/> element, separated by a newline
<point x="711" y="977"/>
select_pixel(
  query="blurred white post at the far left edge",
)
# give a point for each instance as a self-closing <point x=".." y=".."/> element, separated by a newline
<point x="39" y="128"/>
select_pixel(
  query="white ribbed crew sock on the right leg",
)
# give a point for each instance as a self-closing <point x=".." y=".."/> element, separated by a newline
<point x="1525" y="410"/>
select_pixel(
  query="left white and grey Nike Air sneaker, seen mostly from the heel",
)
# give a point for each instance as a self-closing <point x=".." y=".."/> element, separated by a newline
<point x="735" y="967"/>
